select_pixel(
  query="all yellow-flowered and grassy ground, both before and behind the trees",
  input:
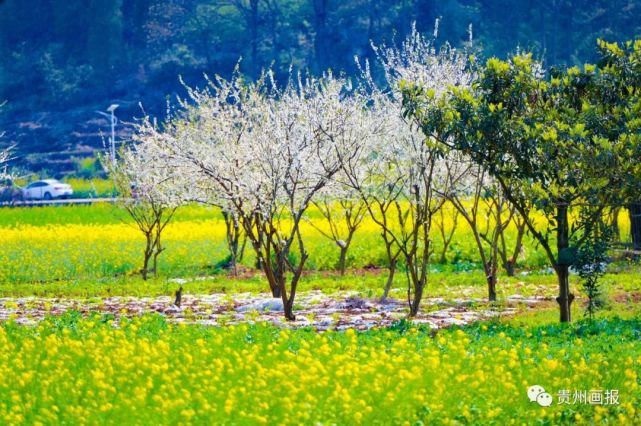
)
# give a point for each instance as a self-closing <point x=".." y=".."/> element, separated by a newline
<point x="122" y="367"/>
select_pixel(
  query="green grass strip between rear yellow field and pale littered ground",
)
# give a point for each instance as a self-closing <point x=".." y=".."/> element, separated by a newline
<point x="370" y="284"/>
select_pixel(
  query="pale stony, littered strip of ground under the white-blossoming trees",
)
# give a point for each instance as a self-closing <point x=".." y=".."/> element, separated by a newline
<point x="340" y="310"/>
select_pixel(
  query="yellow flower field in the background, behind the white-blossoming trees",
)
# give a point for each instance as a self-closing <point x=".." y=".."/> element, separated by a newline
<point x="67" y="243"/>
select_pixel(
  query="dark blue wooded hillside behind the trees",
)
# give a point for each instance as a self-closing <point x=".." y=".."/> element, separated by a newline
<point x="59" y="56"/>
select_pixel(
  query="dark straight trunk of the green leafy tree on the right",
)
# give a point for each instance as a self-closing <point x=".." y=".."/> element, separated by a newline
<point x="563" y="263"/>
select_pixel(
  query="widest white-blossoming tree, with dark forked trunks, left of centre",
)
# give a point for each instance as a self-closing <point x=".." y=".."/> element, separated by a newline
<point x="265" y="153"/>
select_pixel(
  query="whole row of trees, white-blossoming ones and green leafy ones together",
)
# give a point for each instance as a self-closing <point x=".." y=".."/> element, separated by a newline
<point x="404" y="147"/>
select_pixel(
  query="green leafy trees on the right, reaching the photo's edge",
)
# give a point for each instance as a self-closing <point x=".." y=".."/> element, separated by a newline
<point x="559" y="142"/>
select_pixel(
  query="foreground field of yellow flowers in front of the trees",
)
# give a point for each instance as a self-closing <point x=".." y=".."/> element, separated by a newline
<point x="86" y="371"/>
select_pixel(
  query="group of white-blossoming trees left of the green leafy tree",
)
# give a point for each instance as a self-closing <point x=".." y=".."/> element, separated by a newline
<point x="264" y="153"/>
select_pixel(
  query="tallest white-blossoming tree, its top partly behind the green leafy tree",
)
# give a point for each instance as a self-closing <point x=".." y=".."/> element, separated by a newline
<point x="399" y="173"/>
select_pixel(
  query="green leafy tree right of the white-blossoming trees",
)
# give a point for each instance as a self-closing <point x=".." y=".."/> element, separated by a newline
<point x="542" y="138"/>
